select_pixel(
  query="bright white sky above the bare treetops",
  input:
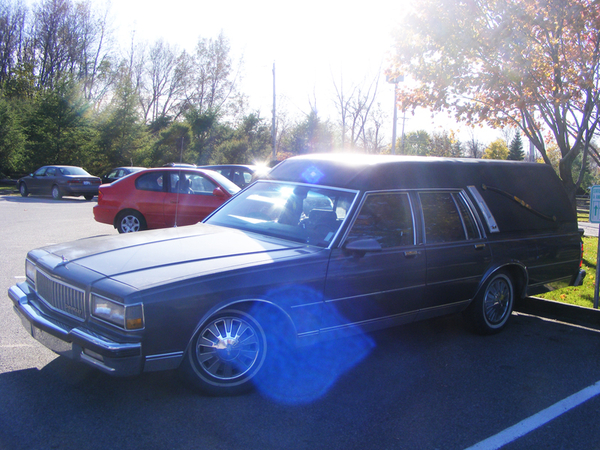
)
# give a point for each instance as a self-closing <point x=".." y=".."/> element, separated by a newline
<point x="312" y="44"/>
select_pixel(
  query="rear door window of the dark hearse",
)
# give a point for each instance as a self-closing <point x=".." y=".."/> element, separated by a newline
<point x="447" y="218"/>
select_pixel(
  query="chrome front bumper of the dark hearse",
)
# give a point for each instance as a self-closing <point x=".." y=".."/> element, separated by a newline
<point x="114" y="358"/>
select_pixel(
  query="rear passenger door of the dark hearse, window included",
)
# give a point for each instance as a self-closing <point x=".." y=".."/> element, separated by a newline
<point x="457" y="252"/>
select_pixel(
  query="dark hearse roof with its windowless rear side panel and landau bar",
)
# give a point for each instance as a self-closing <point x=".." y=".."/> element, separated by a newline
<point x="508" y="187"/>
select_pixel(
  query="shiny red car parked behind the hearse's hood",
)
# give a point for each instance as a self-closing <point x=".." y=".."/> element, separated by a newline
<point x="162" y="197"/>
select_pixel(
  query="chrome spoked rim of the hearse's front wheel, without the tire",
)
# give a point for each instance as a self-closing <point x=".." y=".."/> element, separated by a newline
<point x="228" y="348"/>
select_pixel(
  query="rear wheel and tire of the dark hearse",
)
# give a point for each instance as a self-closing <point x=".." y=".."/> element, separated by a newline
<point x="490" y="310"/>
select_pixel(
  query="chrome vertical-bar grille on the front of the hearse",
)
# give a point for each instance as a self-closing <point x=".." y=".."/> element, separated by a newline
<point x="60" y="296"/>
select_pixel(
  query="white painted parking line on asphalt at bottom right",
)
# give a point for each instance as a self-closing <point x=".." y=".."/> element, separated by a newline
<point x="537" y="420"/>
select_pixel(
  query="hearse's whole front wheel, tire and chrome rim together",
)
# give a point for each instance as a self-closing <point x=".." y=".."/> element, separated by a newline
<point x="226" y="353"/>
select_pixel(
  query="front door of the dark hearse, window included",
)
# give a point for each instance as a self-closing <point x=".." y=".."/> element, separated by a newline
<point x="386" y="282"/>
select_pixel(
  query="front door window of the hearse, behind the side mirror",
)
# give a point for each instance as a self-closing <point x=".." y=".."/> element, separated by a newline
<point x="386" y="218"/>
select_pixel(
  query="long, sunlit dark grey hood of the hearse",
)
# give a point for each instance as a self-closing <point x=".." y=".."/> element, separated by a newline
<point x="156" y="257"/>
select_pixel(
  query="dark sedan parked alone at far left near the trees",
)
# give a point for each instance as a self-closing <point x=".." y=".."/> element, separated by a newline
<point x="59" y="181"/>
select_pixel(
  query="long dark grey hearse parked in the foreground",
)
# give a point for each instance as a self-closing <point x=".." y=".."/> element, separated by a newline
<point x="328" y="245"/>
